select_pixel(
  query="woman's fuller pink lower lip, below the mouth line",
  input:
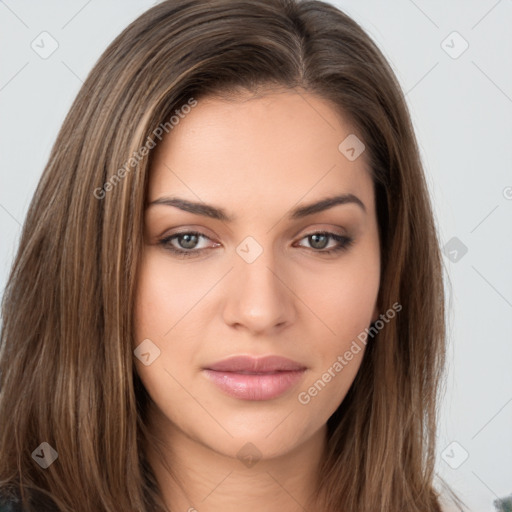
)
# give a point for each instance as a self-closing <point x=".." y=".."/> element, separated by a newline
<point x="264" y="386"/>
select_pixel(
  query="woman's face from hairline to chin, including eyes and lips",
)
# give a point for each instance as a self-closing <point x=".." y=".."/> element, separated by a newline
<point x="250" y="272"/>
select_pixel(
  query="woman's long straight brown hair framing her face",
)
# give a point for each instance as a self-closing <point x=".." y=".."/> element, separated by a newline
<point x="67" y="374"/>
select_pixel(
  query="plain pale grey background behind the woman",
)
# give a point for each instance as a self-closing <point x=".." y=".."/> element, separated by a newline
<point x="461" y="105"/>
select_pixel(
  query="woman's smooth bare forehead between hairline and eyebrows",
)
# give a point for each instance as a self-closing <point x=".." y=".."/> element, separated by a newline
<point x="272" y="149"/>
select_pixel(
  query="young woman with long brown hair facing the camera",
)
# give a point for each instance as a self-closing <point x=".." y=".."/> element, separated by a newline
<point x="228" y="289"/>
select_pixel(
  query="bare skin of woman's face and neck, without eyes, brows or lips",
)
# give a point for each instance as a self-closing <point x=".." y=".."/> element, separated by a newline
<point x="257" y="158"/>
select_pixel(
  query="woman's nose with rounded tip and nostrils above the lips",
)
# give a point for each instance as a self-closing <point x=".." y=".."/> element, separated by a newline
<point x="258" y="296"/>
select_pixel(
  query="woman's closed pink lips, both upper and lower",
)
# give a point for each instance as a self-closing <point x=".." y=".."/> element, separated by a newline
<point x="250" y="378"/>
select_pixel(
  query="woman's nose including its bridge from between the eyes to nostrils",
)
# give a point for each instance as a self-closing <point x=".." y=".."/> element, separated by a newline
<point x="258" y="297"/>
